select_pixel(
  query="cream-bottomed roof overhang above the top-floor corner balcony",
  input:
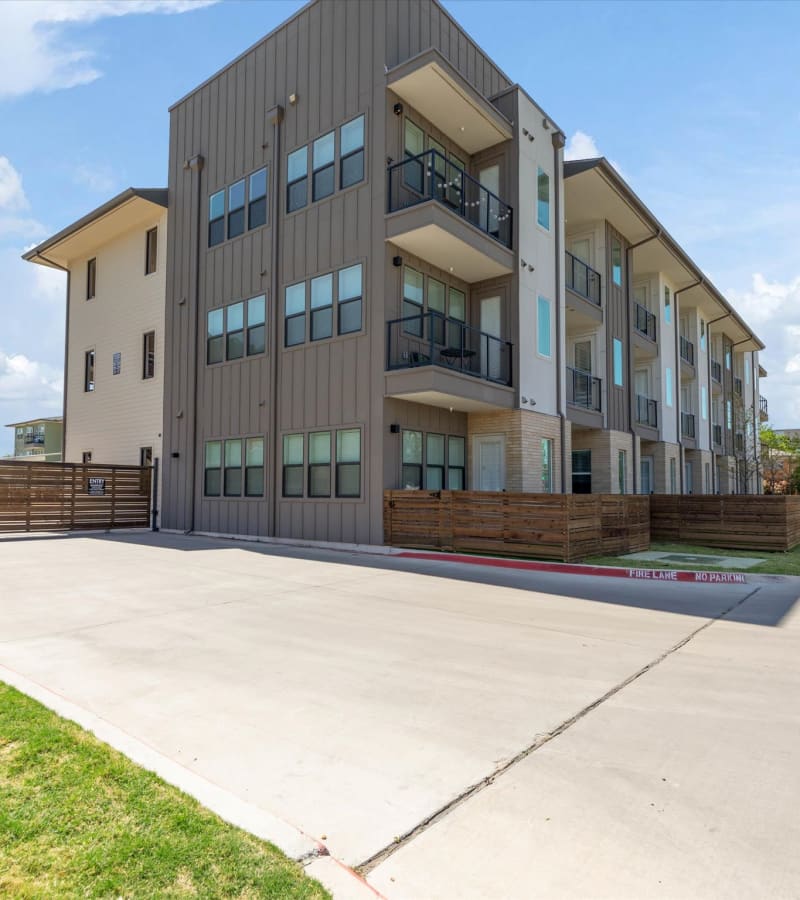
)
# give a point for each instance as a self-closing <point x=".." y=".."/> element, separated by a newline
<point x="434" y="88"/>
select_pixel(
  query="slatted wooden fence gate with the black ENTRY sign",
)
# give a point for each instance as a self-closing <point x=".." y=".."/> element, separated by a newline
<point x="69" y="497"/>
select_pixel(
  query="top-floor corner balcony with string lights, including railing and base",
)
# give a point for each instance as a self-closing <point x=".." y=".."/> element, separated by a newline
<point x="446" y="217"/>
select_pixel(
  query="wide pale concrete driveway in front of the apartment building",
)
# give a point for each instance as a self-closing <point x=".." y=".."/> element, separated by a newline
<point x="369" y="701"/>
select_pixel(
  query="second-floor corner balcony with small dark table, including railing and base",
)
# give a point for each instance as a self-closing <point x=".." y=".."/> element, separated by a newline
<point x="444" y="362"/>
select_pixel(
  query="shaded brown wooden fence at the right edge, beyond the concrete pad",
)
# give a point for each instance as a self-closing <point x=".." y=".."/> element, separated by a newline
<point x="735" y="521"/>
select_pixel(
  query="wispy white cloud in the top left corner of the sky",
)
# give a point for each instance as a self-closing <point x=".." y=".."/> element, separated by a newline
<point x="35" y="54"/>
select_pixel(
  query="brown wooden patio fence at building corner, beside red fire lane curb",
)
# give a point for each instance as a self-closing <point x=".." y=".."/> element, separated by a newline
<point x="564" y="527"/>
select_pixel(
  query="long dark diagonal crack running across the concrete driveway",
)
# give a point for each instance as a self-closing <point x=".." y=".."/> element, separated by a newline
<point x="365" y="867"/>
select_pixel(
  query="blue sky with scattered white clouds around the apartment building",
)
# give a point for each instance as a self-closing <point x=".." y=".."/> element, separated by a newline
<point x="695" y="102"/>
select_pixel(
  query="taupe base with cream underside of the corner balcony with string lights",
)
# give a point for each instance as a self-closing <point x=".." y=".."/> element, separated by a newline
<point x="432" y="232"/>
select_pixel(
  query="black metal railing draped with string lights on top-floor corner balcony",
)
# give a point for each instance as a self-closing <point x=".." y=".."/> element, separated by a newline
<point x="430" y="176"/>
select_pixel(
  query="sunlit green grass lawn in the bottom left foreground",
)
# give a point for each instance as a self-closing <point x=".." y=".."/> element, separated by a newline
<point x="78" y="819"/>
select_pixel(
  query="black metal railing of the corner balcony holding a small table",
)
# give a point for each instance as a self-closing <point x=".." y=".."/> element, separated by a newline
<point x="431" y="339"/>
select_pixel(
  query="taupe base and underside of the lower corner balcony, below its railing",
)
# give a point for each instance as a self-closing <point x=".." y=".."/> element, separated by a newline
<point x="448" y="389"/>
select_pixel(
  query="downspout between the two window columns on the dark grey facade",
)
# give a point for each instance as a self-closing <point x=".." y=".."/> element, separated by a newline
<point x="274" y="118"/>
